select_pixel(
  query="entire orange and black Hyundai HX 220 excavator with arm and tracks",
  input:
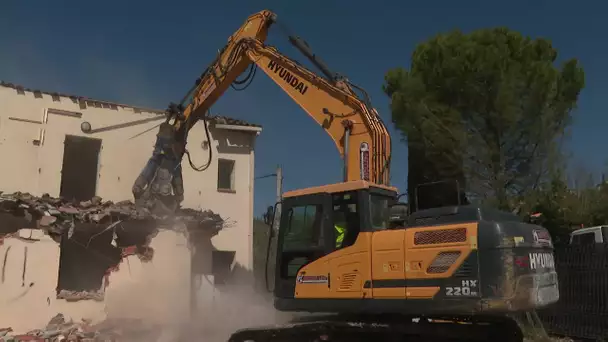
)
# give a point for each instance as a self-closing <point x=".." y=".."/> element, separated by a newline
<point x="462" y="268"/>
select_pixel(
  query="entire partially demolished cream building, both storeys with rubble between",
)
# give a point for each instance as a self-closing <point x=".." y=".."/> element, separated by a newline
<point x="71" y="244"/>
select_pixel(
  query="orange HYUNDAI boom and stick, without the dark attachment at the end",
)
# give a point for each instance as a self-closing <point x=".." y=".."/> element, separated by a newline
<point x="356" y="129"/>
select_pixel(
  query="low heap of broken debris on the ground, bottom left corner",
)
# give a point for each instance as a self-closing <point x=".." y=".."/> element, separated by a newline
<point x="60" y="329"/>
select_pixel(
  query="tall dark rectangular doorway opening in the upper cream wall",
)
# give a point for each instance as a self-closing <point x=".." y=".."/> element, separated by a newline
<point x="80" y="166"/>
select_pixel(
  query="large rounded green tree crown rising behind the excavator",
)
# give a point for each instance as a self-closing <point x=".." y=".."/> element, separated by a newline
<point x="489" y="109"/>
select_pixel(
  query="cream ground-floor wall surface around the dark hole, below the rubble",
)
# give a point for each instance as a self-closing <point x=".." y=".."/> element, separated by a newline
<point x="157" y="292"/>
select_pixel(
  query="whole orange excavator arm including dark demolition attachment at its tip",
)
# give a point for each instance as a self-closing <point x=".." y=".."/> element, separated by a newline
<point x="355" y="127"/>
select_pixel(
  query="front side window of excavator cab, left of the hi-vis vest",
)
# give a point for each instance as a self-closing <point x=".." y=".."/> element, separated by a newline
<point x="304" y="228"/>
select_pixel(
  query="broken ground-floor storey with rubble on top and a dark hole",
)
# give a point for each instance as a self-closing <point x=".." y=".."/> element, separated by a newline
<point x="100" y="260"/>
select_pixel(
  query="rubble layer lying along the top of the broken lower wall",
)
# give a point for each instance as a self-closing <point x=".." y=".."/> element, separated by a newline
<point x="58" y="215"/>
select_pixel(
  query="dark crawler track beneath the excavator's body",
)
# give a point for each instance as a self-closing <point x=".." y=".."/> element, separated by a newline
<point x="377" y="328"/>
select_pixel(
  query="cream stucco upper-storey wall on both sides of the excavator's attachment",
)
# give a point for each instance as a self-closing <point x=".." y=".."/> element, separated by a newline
<point x="37" y="169"/>
